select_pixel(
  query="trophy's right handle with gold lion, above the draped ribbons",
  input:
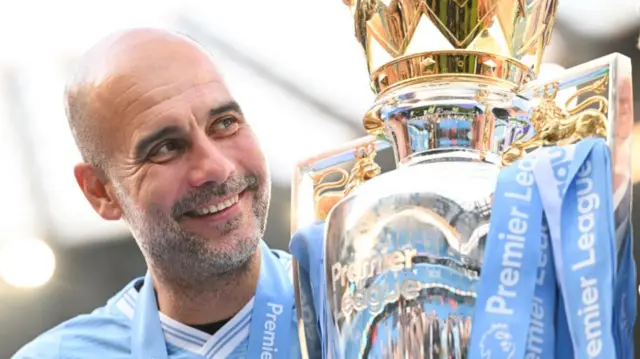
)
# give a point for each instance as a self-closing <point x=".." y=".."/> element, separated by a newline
<point x="604" y="108"/>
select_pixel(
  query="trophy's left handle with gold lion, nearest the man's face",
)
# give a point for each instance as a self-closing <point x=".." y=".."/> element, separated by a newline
<point x="313" y="196"/>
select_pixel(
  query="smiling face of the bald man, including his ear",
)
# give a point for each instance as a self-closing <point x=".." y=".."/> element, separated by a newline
<point x="185" y="170"/>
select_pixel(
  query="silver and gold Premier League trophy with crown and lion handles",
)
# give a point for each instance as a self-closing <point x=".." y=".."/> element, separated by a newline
<point x="458" y="100"/>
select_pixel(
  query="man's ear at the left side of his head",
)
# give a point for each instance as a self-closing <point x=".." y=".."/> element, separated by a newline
<point x="94" y="186"/>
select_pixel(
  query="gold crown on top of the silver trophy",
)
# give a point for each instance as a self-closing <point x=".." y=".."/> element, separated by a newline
<point x="492" y="41"/>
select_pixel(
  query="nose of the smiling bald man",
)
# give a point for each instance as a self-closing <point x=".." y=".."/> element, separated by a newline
<point x="209" y="163"/>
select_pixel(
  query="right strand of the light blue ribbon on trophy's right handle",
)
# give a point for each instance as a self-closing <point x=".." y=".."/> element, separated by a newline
<point x="584" y="251"/>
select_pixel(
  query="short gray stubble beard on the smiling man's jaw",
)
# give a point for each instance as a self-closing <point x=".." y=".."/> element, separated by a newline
<point x="188" y="262"/>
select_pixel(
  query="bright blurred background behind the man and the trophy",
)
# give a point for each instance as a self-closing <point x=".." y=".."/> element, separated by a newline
<point x="293" y="65"/>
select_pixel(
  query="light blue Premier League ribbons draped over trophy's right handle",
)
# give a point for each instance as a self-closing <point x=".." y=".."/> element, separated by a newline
<point x="550" y="262"/>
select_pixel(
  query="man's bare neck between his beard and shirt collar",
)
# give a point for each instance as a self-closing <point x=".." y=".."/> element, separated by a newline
<point x="221" y="299"/>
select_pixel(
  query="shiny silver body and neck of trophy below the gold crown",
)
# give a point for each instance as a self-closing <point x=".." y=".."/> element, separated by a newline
<point x="404" y="251"/>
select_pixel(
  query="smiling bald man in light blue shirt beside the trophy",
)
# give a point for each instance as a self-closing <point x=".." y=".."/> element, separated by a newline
<point x="168" y="150"/>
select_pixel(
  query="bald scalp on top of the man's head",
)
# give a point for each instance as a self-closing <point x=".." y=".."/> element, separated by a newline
<point x="116" y="64"/>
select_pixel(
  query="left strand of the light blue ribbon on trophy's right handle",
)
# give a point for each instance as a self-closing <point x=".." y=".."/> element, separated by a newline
<point x="510" y="269"/>
